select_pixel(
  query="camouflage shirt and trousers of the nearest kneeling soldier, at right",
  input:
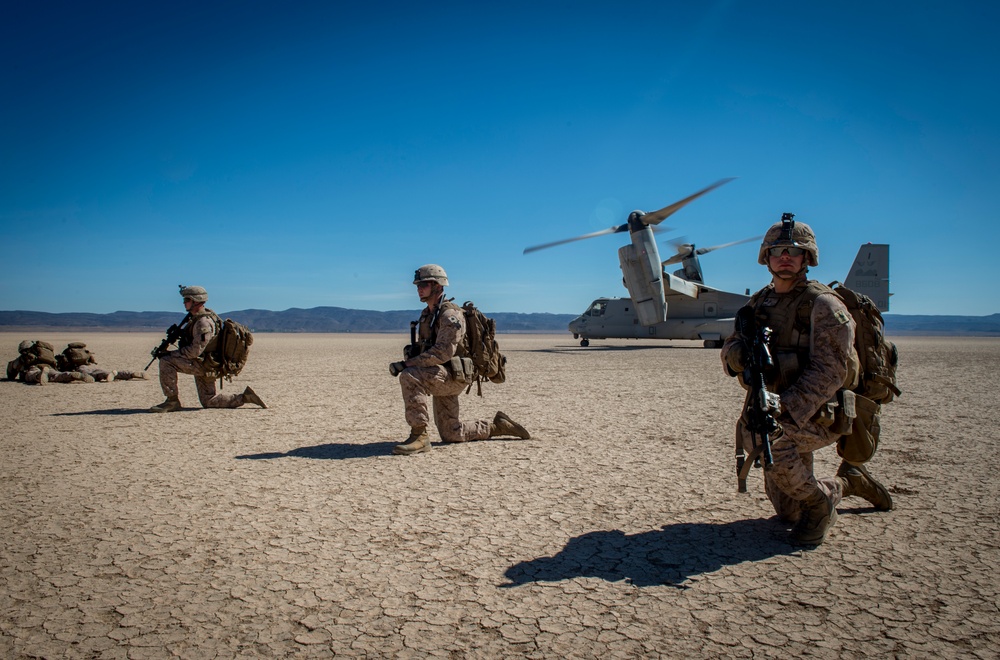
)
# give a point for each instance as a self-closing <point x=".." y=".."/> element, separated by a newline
<point x="828" y="364"/>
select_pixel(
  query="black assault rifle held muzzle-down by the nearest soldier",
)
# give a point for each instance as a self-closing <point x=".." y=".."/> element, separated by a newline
<point x="762" y="406"/>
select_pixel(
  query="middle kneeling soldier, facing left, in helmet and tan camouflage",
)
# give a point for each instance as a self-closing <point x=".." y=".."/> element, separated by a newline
<point x="437" y="367"/>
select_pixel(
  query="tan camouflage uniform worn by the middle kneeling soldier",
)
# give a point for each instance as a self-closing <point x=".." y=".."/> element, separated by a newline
<point x="427" y="377"/>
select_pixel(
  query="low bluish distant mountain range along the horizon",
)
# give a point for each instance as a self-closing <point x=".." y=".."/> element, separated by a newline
<point x="340" y="319"/>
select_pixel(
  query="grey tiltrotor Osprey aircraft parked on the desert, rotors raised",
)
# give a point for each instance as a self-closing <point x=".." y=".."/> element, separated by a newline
<point x="680" y="305"/>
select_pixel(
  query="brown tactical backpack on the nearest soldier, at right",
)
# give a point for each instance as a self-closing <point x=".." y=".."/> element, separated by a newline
<point x="877" y="378"/>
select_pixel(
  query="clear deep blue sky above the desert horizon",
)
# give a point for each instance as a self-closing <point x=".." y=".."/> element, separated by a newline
<point x="304" y="154"/>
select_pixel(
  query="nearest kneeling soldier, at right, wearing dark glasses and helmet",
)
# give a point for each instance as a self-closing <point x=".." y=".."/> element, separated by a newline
<point x="815" y="368"/>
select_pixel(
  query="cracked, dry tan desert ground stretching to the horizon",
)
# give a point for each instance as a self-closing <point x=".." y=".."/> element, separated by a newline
<point x="615" y="531"/>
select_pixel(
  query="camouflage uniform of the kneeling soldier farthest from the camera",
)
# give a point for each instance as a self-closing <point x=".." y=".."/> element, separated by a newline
<point x="187" y="360"/>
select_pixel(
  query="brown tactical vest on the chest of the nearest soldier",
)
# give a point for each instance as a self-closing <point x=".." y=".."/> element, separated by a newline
<point x="789" y="316"/>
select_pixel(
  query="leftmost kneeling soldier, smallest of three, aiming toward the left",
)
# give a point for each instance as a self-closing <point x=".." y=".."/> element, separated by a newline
<point x="194" y="339"/>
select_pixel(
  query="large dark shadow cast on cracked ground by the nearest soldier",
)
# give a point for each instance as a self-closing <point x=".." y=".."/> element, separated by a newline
<point x="668" y="556"/>
